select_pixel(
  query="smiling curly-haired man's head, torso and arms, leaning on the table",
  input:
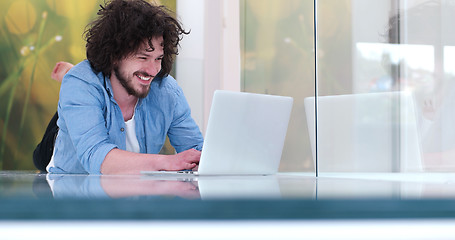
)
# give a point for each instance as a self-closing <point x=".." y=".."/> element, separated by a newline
<point x="117" y="107"/>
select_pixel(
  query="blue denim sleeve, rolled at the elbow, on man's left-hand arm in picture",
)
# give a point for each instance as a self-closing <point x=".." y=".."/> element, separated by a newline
<point x="81" y="107"/>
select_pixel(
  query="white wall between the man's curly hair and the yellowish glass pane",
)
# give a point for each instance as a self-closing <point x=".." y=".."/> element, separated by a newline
<point x="209" y="57"/>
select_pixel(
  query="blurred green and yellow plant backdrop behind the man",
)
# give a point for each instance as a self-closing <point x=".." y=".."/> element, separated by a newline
<point x="35" y="34"/>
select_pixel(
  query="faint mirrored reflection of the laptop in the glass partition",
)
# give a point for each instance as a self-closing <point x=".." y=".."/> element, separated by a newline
<point x="370" y="132"/>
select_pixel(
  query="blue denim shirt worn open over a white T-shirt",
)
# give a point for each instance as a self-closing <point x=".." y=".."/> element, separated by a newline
<point x="91" y="123"/>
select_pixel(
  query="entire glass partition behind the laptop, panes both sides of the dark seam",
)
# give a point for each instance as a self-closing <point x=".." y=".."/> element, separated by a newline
<point x="384" y="82"/>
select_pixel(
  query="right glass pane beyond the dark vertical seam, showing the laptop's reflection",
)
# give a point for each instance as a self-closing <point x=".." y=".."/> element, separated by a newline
<point x="385" y="86"/>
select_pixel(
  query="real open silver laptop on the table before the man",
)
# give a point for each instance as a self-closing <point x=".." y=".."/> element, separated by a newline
<point x="245" y="135"/>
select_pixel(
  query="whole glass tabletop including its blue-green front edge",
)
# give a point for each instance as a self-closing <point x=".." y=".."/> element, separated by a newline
<point x="29" y="195"/>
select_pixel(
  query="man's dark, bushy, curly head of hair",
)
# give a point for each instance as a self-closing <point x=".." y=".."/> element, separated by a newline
<point x="121" y="28"/>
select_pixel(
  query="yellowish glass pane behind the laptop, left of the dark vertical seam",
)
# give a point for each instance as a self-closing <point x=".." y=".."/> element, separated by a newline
<point x="277" y="58"/>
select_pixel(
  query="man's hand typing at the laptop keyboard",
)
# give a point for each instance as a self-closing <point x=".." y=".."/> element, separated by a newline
<point x="188" y="159"/>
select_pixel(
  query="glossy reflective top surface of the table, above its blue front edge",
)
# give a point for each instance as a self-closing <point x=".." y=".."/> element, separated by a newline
<point x="283" y="186"/>
